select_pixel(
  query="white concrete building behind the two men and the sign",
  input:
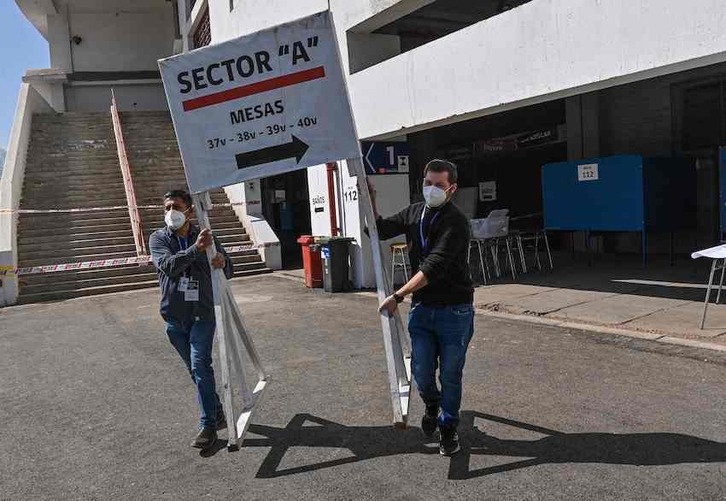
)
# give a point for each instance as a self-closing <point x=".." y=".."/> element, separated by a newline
<point x="500" y="86"/>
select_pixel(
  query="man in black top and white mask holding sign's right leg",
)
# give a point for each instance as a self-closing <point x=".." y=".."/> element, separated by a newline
<point x="441" y="321"/>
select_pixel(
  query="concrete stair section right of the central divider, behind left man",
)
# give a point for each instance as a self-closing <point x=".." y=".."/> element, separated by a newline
<point x="157" y="168"/>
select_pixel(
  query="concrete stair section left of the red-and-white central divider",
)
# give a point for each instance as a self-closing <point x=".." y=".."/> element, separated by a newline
<point x="72" y="163"/>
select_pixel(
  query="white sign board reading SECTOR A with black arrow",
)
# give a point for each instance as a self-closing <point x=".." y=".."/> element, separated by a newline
<point x="260" y="105"/>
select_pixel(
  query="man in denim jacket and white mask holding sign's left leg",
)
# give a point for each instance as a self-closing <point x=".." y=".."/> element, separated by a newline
<point x="187" y="305"/>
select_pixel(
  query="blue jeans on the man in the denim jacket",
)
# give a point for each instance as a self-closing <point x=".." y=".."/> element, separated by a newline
<point x="193" y="341"/>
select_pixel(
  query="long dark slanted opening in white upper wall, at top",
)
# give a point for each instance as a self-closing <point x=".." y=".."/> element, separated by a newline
<point x="422" y="26"/>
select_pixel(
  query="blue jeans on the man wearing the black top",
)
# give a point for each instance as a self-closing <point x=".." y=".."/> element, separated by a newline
<point x="440" y="337"/>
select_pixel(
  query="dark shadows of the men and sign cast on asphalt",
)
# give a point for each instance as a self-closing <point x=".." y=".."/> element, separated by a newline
<point x="364" y="443"/>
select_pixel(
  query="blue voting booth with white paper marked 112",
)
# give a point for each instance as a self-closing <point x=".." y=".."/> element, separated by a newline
<point x="626" y="193"/>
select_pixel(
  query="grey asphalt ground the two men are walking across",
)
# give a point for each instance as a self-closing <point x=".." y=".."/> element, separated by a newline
<point x="95" y="404"/>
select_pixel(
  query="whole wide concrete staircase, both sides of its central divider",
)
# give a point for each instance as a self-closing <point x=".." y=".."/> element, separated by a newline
<point x="72" y="163"/>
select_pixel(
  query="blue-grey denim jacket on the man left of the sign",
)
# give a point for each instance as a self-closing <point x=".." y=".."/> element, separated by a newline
<point x="174" y="259"/>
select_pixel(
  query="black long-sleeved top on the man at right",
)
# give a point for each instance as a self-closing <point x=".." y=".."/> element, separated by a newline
<point x="446" y="235"/>
